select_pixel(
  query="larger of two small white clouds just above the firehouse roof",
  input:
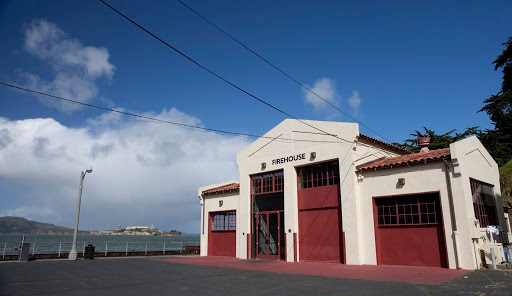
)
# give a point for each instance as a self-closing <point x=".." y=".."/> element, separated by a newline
<point x="325" y="88"/>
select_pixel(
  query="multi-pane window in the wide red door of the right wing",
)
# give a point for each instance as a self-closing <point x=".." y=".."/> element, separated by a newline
<point x="404" y="210"/>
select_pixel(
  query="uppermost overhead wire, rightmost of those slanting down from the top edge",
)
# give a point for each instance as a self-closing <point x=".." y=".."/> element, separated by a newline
<point x="280" y="70"/>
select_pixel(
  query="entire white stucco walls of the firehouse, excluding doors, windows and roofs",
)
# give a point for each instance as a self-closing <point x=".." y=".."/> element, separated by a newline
<point x="469" y="160"/>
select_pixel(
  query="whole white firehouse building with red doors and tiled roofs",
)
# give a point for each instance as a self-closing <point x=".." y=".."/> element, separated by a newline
<point x="353" y="199"/>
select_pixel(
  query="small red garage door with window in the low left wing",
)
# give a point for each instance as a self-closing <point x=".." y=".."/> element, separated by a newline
<point x="222" y="234"/>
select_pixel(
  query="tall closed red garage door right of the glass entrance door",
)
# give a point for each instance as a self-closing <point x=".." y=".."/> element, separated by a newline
<point x="319" y="213"/>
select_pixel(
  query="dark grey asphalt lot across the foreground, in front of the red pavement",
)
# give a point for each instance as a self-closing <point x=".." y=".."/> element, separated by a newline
<point x="152" y="276"/>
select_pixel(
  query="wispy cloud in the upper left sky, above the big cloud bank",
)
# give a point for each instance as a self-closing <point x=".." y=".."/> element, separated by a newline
<point x="77" y="67"/>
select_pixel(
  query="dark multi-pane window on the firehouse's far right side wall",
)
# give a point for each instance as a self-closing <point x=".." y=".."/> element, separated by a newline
<point x="484" y="203"/>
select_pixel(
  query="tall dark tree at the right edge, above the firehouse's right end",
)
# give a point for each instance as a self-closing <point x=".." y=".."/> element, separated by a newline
<point x="498" y="141"/>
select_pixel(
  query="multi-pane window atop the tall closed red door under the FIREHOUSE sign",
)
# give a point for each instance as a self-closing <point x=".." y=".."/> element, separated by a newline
<point x="322" y="174"/>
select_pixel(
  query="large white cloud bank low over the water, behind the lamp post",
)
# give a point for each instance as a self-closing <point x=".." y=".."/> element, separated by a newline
<point x="143" y="172"/>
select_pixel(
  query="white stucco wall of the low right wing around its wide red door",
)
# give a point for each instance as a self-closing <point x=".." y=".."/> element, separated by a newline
<point x="469" y="159"/>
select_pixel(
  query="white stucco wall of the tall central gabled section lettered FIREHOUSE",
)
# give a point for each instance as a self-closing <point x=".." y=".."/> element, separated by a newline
<point x="347" y="151"/>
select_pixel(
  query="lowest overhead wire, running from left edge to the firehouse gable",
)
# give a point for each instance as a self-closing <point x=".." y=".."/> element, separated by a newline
<point x="153" y="119"/>
